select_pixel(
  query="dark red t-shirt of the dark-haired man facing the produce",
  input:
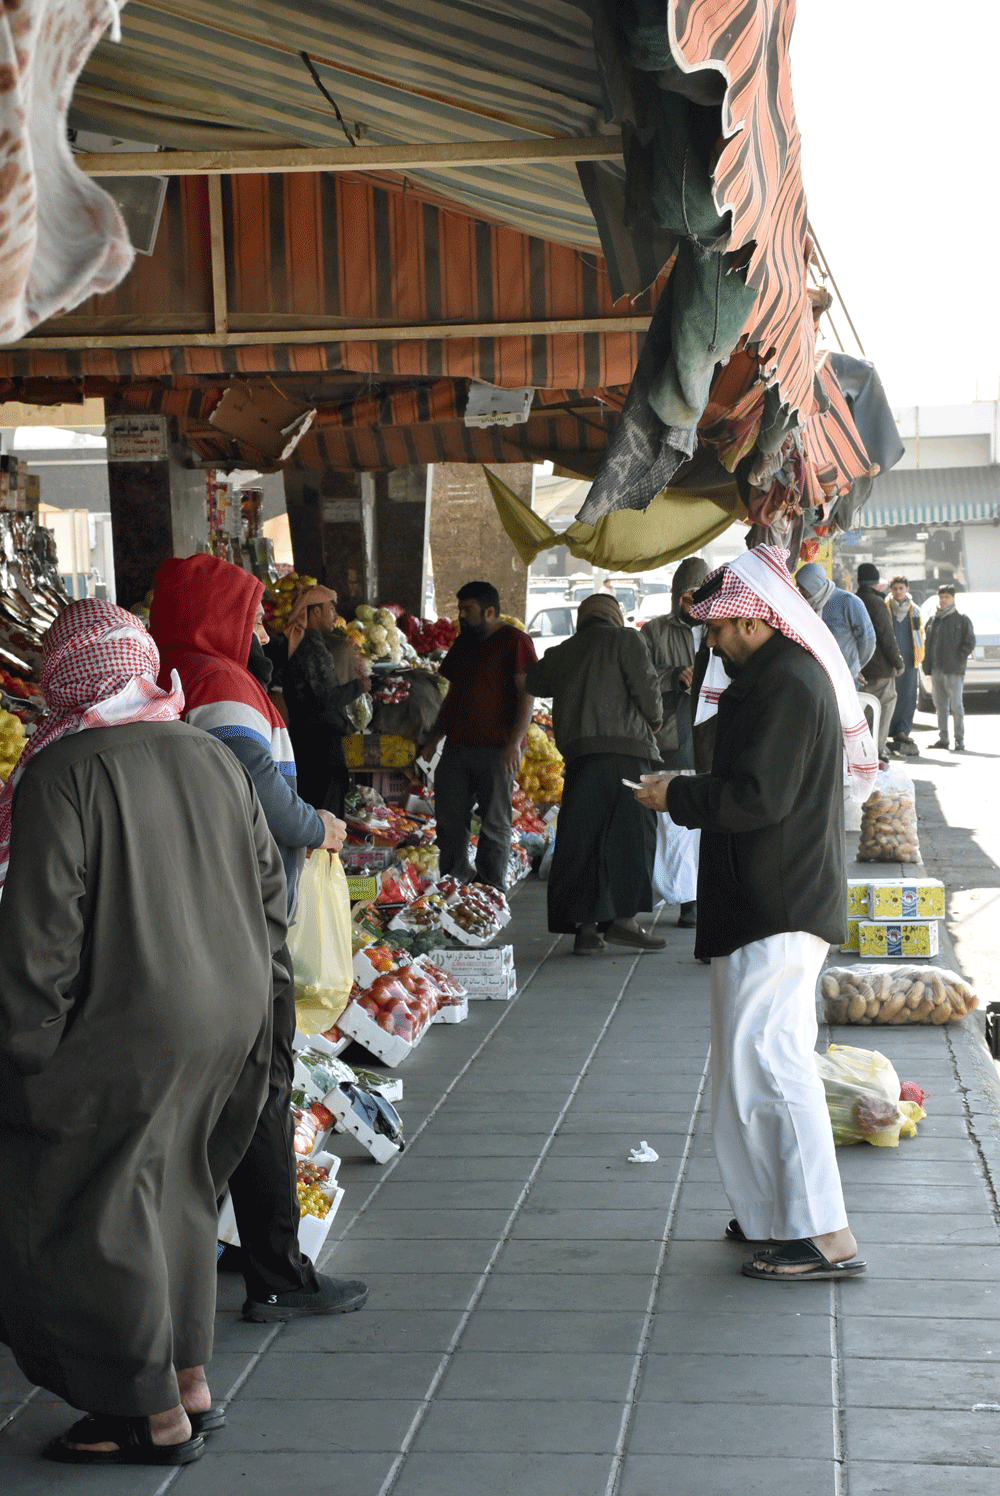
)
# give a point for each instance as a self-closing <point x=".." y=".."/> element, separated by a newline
<point x="483" y="701"/>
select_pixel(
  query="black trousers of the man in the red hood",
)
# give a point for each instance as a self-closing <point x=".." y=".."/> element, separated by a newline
<point x="263" y="1187"/>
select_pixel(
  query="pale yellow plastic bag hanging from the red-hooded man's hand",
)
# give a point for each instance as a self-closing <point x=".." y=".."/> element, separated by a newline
<point x="320" y="943"/>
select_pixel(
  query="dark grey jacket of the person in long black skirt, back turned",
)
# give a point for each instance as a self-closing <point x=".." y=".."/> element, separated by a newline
<point x="606" y="693"/>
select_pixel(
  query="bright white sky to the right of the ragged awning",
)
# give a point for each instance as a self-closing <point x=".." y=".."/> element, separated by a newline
<point x="902" y="176"/>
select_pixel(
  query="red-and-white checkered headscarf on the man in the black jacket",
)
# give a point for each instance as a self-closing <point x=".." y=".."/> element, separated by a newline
<point x="758" y="586"/>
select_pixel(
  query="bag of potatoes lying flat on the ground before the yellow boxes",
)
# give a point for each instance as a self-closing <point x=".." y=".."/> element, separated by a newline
<point x="894" y="996"/>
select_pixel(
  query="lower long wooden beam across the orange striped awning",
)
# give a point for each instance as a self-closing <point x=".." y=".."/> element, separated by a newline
<point x="394" y="334"/>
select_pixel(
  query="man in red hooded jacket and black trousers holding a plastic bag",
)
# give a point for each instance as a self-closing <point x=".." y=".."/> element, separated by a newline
<point x="203" y="620"/>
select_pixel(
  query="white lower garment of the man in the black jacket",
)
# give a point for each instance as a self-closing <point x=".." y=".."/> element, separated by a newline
<point x="770" y="1121"/>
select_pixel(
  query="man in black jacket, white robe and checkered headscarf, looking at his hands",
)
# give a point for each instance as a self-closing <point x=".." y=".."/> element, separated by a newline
<point x="772" y="898"/>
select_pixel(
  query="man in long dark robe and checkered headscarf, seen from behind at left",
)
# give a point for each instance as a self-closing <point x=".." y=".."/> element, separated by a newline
<point x="143" y="906"/>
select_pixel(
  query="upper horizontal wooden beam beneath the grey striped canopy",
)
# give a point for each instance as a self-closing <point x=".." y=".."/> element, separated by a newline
<point x="345" y="159"/>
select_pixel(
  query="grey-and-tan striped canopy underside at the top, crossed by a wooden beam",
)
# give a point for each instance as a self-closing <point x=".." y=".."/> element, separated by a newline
<point x="210" y="74"/>
